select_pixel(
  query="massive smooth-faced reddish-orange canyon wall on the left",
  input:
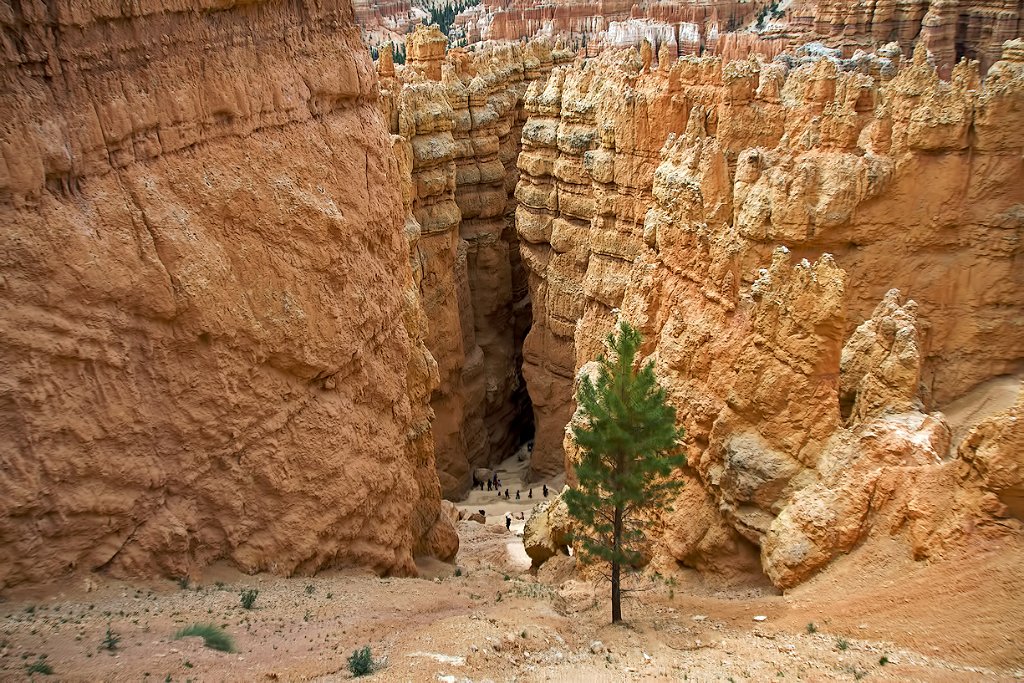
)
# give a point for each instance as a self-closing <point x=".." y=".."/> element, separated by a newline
<point x="212" y="346"/>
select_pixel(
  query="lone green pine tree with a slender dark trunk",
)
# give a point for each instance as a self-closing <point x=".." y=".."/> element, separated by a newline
<point x="630" y="446"/>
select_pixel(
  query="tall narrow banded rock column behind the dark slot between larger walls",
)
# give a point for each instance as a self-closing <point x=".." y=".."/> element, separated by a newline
<point x="459" y="116"/>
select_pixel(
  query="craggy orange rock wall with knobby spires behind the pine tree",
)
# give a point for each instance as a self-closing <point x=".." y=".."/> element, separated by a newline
<point x="800" y="393"/>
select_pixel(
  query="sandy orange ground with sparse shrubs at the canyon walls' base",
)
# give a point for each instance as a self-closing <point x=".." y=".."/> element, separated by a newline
<point x="876" y="616"/>
